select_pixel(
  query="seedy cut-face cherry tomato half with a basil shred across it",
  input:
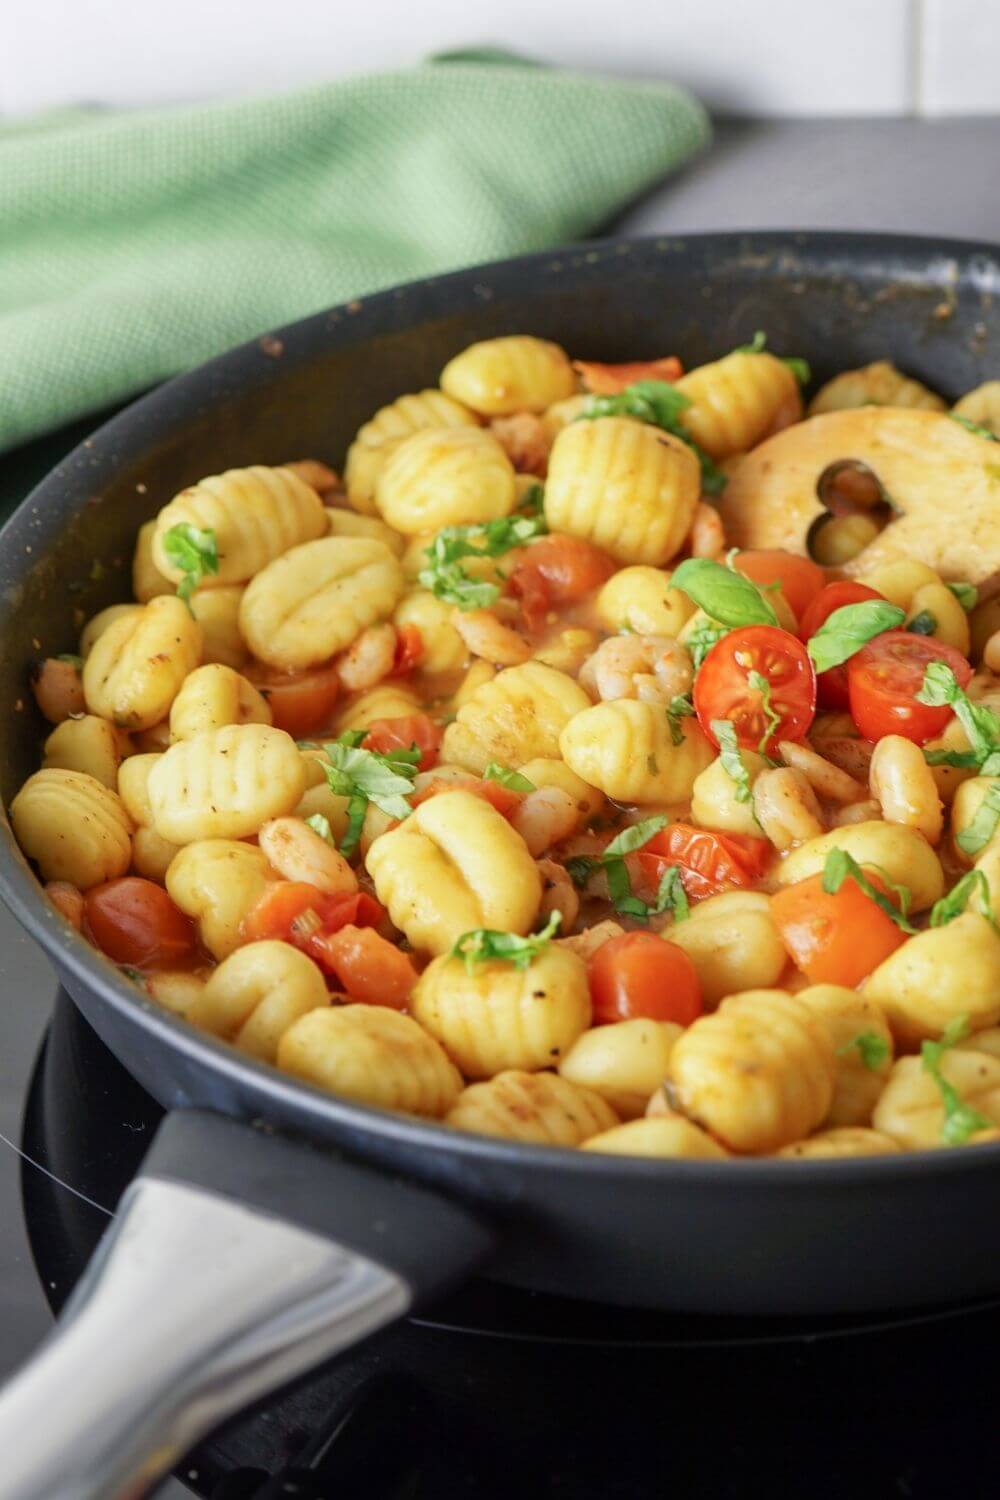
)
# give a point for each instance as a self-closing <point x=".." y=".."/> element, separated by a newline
<point x="723" y="691"/>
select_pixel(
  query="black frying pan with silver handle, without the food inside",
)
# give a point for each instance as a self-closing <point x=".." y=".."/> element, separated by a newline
<point x="241" y="1256"/>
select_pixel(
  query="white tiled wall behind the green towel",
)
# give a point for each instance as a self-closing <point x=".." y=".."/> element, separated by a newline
<point x="783" y="58"/>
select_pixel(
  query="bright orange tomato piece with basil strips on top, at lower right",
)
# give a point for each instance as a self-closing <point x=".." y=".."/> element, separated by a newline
<point x="834" y="940"/>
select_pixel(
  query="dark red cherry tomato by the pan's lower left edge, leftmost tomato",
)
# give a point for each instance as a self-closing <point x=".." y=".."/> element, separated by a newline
<point x="134" y="922"/>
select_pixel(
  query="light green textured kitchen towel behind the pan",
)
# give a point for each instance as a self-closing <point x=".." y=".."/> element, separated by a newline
<point x="137" y="245"/>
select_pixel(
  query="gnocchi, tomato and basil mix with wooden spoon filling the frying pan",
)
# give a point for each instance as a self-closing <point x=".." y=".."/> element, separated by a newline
<point x="493" y="788"/>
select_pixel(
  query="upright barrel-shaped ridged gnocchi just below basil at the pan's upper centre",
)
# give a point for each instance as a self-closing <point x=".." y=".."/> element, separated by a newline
<point x="629" y="488"/>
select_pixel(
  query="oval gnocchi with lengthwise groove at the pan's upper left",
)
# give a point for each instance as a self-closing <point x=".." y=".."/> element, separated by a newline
<point x="317" y="599"/>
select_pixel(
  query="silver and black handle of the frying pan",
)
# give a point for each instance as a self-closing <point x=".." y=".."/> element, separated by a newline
<point x="238" y="1262"/>
